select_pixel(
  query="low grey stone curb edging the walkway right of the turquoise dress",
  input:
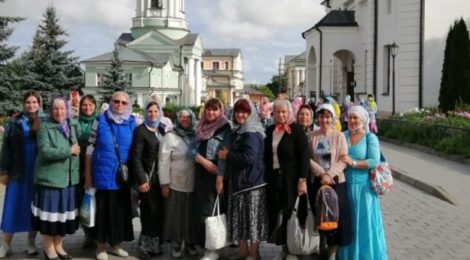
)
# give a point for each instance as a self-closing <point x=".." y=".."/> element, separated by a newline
<point x="434" y="190"/>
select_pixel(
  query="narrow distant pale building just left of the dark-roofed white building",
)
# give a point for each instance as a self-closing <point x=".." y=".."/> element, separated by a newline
<point x="294" y="71"/>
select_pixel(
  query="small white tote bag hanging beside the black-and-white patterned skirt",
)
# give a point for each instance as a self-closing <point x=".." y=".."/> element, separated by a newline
<point x="216" y="228"/>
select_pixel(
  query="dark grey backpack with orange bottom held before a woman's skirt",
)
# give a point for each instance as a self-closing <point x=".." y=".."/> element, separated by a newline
<point x="327" y="209"/>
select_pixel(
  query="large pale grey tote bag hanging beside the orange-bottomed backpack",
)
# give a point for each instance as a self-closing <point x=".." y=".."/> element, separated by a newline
<point x="302" y="240"/>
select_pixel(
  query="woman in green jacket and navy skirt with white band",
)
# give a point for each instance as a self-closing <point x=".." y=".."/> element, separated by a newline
<point x="54" y="208"/>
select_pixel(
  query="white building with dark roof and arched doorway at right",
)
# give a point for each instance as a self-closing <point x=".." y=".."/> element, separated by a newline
<point x="348" y="52"/>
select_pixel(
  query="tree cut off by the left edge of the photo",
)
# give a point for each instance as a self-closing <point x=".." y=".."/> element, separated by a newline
<point x="10" y="96"/>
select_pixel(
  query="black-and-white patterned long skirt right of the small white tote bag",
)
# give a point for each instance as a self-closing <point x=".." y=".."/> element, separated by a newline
<point x="249" y="216"/>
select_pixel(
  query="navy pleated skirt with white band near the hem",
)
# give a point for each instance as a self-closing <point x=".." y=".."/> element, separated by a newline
<point x="54" y="211"/>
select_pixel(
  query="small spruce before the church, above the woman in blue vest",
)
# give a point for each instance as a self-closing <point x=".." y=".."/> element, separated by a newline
<point x="114" y="79"/>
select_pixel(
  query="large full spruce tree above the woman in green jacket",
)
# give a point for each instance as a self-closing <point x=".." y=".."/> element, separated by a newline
<point x="48" y="69"/>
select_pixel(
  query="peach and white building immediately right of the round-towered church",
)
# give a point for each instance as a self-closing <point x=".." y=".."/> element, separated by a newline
<point x="223" y="74"/>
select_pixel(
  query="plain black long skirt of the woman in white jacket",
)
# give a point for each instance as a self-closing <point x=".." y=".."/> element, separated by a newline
<point x="178" y="227"/>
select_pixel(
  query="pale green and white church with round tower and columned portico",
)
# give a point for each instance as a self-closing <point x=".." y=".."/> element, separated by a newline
<point x="160" y="56"/>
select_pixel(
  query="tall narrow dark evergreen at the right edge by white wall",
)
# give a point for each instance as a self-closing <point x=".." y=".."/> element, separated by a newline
<point x="455" y="81"/>
